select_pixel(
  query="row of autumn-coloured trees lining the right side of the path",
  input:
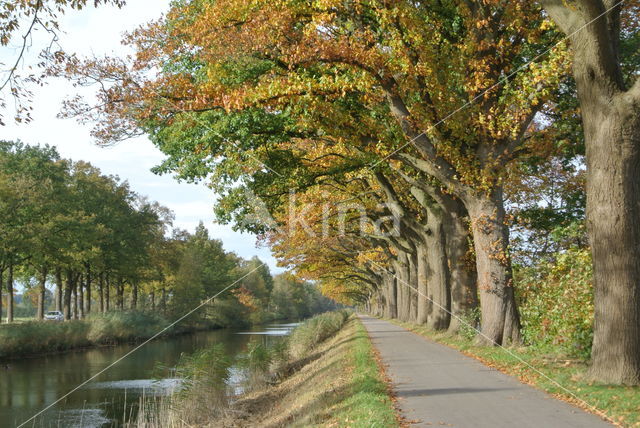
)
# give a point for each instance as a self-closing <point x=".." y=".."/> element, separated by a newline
<point x="381" y="137"/>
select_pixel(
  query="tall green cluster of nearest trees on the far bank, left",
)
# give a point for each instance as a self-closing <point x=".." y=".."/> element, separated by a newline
<point x="65" y="222"/>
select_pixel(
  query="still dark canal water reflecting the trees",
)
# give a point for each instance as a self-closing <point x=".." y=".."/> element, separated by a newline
<point x="28" y="386"/>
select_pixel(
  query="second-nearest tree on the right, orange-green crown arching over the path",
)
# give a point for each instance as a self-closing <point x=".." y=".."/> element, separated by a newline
<point x="381" y="77"/>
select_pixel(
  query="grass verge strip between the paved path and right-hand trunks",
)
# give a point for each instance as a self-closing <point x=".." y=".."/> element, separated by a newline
<point x="548" y="370"/>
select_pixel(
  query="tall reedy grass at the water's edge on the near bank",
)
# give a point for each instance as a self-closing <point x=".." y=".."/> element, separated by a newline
<point x="206" y="395"/>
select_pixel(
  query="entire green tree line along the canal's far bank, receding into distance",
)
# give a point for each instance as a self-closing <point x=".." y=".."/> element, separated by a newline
<point x="101" y="247"/>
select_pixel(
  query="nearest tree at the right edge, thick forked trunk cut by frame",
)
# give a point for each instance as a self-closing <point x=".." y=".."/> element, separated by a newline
<point x="609" y="92"/>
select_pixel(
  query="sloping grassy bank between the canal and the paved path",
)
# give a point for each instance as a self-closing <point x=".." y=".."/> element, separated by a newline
<point x="326" y="375"/>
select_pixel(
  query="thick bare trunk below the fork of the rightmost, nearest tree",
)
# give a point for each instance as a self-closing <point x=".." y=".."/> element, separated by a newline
<point x="613" y="211"/>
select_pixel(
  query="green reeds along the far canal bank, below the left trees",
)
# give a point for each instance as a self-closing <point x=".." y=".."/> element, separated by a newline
<point x="17" y="340"/>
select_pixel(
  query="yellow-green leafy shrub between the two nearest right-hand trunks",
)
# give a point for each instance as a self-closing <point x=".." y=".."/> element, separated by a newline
<point x="556" y="302"/>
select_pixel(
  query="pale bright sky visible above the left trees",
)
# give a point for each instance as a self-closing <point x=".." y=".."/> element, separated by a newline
<point x="99" y="31"/>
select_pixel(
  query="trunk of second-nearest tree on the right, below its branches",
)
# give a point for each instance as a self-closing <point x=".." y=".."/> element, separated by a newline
<point x="500" y="323"/>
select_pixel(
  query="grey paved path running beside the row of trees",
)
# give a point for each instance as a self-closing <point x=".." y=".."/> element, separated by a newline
<point x="439" y="386"/>
